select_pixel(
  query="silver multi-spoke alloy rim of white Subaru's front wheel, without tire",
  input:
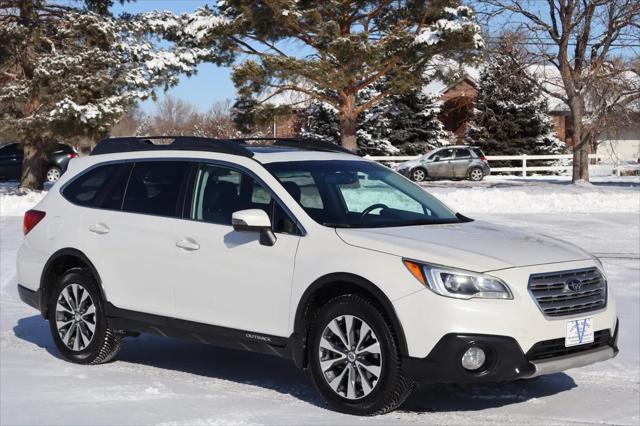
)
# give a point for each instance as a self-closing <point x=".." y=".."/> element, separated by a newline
<point x="350" y="357"/>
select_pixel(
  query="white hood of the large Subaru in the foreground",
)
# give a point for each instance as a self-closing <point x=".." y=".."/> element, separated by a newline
<point x="476" y="246"/>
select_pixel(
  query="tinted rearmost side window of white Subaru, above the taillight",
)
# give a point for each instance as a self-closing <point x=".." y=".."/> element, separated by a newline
<point x="101" y="187"/>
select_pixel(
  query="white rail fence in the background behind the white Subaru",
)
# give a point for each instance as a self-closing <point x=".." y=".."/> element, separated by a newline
<point x="563" y="162"/>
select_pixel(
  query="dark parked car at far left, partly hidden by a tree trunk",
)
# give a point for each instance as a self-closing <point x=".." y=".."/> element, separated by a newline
<point x="58" y="157"/>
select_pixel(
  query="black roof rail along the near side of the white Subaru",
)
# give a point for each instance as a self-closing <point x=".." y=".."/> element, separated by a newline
<point x="180" y="143"/>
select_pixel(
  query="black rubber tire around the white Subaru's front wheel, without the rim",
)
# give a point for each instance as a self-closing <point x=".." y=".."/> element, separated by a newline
<point x="392" y="387"/>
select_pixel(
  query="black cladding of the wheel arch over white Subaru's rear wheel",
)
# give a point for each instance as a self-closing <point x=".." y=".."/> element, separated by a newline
<point x="59" y="262"/>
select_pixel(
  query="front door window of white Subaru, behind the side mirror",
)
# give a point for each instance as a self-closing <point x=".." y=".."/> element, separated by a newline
<point x="220" y="191"/>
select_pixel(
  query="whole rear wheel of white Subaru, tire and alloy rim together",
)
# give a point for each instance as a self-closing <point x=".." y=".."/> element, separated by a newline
<point x="77" y="321"/>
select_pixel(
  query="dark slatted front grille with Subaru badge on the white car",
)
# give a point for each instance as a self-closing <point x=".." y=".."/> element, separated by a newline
<point x="555" y="298"/>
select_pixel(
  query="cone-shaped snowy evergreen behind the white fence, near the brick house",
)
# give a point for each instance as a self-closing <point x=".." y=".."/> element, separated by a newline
<point x="511" y="113"/>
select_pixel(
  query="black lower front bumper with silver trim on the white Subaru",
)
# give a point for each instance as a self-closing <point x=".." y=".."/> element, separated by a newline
<point x="505" y="360"/>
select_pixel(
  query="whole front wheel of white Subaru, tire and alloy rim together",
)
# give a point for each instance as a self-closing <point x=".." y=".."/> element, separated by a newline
<point x="354" y="358"/>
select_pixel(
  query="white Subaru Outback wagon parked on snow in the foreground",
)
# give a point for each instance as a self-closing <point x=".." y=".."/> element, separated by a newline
<point x="301" y="250"/>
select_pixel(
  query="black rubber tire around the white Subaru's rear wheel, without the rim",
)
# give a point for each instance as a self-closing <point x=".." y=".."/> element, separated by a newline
<point x="105" y="343"/>
